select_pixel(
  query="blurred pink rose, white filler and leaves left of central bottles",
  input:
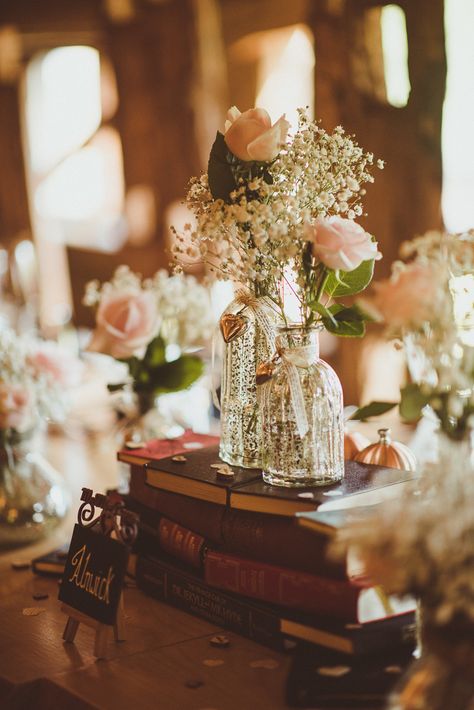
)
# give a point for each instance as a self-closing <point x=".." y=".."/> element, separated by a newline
<point x="136" y="322"/>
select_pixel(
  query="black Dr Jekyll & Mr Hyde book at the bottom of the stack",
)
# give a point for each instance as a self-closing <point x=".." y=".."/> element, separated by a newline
<point x="265" y="623"/>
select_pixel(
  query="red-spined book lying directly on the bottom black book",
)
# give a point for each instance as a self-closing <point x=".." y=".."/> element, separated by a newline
<point x="286" y="587"/>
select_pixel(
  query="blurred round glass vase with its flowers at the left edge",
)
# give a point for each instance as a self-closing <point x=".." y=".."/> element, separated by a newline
<point x="35" y="379"/>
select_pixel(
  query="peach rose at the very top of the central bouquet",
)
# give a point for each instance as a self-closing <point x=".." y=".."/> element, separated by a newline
<point x="251" y="136"/>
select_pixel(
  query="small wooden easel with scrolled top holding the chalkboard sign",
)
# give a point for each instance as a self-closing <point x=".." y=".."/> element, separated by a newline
<point x="114" y="522"/>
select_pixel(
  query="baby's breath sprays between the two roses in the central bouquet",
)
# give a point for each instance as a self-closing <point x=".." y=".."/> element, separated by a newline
<point x="252" y="238"/>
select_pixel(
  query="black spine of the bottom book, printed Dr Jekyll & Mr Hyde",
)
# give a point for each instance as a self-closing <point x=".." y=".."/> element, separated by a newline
<point x="193" y="595"/>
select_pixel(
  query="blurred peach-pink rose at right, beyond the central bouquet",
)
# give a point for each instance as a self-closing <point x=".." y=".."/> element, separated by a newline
<point x="409" y="297"/>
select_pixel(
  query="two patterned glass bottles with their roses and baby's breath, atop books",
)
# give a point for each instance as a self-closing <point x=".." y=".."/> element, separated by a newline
<point x="274" y="213"/>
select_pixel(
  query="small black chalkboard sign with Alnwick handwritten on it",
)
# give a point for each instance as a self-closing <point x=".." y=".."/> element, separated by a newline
<point x="94" y="574"/>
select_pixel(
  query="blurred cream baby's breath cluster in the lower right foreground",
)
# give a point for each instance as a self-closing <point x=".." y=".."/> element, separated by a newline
<point x="423" y="543"/>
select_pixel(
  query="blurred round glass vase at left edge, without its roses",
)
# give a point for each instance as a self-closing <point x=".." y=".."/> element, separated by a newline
<point x="33" y="497"/>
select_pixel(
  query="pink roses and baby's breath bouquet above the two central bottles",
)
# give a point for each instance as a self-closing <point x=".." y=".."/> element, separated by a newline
<point x="268" y="205"/>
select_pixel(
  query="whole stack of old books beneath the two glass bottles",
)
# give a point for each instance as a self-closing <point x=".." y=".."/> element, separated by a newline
<point x="244" y="555"/>
